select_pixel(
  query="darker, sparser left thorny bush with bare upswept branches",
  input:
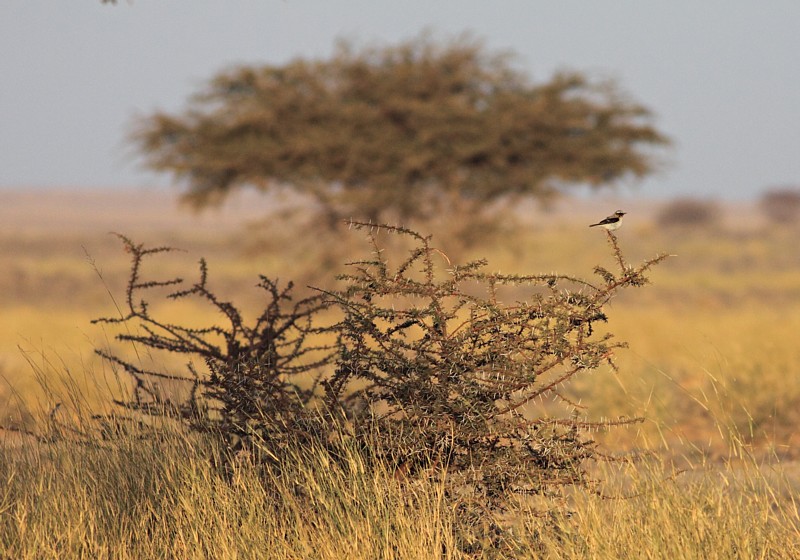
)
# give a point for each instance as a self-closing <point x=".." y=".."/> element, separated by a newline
<point x="260" y="377"/>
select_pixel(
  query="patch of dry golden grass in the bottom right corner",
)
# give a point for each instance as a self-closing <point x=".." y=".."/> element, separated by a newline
<point x="706" y="513"/>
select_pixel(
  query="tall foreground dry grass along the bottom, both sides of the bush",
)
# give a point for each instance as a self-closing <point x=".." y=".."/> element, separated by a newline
<point x="163" y="498"/>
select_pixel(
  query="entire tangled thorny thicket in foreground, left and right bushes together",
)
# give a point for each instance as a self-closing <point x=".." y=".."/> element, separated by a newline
<point x="424" y="366"/>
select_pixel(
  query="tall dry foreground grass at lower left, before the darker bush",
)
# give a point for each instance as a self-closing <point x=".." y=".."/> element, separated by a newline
<point x="68" y="501"/>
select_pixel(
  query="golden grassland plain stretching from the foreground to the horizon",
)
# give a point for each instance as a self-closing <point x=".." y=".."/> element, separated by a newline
<point x="712" y="366"/>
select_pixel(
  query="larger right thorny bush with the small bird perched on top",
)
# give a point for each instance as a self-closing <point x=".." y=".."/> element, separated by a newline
<point x="452" y="373"/>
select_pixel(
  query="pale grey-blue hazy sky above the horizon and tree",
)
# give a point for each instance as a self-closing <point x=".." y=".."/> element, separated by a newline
<point x="723" y="76"/>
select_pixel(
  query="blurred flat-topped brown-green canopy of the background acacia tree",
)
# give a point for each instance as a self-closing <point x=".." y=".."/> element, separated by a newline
<point x="399" y="132"/>
